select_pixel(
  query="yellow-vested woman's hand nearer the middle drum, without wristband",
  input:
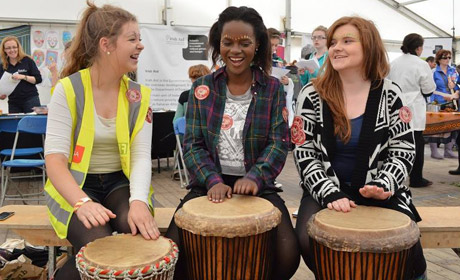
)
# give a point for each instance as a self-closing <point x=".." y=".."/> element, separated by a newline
<point x="140" y="218"/>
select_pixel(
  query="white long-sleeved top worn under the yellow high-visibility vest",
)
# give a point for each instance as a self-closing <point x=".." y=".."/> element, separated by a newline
<point x="58" y="135"/>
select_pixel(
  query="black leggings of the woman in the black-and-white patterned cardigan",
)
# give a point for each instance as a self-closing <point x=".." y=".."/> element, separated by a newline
<point x="308" y="207"/>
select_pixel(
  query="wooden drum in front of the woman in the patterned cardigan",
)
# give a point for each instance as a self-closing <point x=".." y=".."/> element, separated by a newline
<point x="367" y="243"/>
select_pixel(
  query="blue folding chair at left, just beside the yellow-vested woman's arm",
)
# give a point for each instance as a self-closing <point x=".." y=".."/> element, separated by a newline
<point x="28" y="124"/>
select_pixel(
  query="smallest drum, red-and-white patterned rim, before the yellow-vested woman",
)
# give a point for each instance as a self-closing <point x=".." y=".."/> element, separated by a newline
<point x="127" y="257"/>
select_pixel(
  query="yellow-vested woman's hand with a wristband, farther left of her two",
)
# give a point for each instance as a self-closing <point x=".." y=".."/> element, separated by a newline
<point x="93" y="214"/>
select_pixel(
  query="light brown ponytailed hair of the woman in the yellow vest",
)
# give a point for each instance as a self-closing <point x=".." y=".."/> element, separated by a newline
<point x="96" y="23"/>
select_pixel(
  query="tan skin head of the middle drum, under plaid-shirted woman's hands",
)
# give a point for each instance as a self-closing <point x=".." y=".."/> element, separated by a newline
<point x="239" y="216"/>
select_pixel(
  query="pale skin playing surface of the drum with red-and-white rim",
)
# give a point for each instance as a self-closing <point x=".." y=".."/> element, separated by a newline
<point x="125" y="251"/>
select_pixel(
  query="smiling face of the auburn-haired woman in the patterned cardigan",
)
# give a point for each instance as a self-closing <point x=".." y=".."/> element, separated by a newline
<point x="345" y="50"/>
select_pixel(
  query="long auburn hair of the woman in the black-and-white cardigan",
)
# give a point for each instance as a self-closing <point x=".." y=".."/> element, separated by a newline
<point x="374" y="67"/>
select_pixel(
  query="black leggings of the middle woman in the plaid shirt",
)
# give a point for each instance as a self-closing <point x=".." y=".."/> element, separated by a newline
<point x="287" y="256"/>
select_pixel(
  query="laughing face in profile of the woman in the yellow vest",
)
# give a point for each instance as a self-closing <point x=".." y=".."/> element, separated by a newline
<point x="128" y="47"/>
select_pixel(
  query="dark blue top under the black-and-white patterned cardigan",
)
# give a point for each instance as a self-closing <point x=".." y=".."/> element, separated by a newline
<point x="344" y="161"/>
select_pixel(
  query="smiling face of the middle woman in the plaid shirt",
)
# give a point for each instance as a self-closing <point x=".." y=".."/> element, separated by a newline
<point x="237" y="47"/>
